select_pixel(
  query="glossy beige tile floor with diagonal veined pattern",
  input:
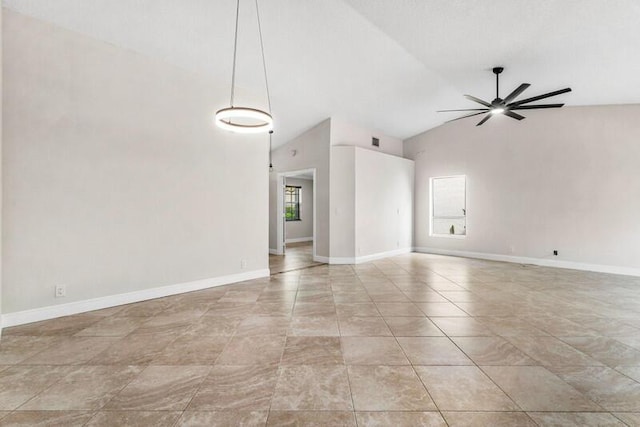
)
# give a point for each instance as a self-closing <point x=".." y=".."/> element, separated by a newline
<point x="407" y="341"/>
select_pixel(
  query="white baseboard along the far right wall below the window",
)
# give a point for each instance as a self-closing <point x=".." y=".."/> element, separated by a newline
<point x="599" y="268"/>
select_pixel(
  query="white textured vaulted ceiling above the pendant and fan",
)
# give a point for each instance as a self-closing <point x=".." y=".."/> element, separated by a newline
<point x="383" y="64"/>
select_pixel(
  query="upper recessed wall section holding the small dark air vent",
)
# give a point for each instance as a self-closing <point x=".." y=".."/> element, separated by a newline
<point x="345" y="133"/>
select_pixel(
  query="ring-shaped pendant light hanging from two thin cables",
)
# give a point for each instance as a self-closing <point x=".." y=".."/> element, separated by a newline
<point x="245" y="119"/>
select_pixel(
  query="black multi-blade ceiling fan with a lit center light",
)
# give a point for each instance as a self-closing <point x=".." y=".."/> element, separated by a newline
<point x="507" y="106"/>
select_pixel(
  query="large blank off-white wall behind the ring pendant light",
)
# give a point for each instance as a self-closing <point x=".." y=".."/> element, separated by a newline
<point x="114" y="178"/>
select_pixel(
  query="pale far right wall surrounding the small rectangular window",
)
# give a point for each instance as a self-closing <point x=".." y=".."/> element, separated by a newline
<point x="567" y="179"/>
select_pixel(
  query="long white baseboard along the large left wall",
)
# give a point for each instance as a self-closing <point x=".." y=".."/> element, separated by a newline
<point x="53" y="311"/>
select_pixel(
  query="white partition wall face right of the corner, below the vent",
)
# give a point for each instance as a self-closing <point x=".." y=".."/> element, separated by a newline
<point x="384" y="203"/>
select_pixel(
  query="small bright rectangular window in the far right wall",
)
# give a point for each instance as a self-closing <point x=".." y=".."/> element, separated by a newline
<point x="448" y="206"/>
